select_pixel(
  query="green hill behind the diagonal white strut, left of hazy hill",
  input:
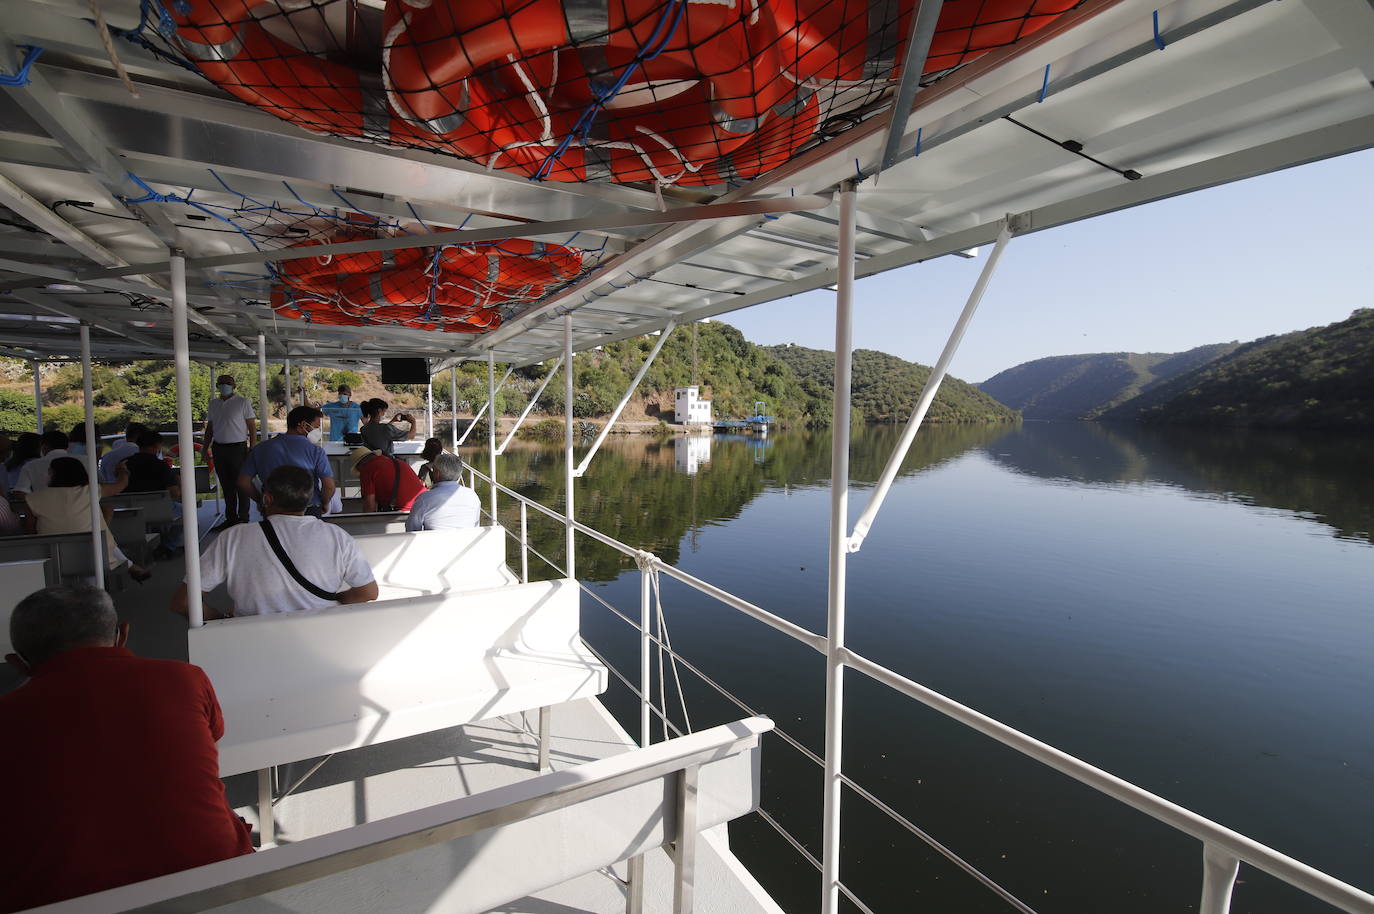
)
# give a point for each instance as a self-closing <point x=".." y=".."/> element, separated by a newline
<point x="886" y="388"/>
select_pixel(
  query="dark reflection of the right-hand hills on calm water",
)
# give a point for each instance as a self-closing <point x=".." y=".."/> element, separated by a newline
<point x="1320" y="476"/>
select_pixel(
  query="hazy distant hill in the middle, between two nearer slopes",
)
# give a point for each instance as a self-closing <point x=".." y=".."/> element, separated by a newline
<point x="1085" y="387"/>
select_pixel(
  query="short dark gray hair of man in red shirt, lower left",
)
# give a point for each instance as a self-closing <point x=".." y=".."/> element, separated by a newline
<point x="57" y="619"/>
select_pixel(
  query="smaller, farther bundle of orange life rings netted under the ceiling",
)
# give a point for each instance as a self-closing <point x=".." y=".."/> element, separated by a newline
<point x="457" y="289"/>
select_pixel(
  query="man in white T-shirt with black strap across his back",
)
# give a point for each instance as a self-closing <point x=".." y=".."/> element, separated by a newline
<point x="319" y="564"/>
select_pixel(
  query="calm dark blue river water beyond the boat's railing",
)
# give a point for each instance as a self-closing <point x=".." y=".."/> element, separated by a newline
<point x="1191" y="611"/>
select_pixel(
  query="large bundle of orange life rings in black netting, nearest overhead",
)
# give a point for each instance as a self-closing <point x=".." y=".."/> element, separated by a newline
<point x="667" y="91"/>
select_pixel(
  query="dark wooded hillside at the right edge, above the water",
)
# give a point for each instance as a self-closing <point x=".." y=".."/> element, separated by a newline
<point x="1316" y="377"/>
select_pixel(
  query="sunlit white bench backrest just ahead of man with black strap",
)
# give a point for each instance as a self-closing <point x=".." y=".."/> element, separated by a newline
<point x="436" y="561"/>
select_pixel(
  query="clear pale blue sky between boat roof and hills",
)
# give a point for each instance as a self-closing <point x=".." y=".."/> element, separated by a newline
<point x="1251" y="259"/>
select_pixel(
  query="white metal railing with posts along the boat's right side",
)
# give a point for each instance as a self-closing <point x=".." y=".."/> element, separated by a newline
<point x="1224" y="850"/>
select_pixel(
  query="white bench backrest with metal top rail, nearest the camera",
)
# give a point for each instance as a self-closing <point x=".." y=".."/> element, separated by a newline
<point x="487" y="850"/>
